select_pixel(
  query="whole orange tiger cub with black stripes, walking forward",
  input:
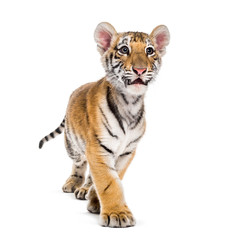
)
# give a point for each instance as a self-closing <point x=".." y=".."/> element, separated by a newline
<point x="105" y="120"/>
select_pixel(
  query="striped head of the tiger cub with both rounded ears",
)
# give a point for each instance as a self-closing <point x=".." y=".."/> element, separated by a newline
<point x="131" y="59"/>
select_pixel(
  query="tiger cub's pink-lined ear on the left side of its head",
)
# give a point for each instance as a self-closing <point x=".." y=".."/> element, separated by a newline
<point x="103" y="36"/>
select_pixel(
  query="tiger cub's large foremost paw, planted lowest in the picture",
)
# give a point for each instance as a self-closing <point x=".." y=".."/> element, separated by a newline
<point x="117" y="219"/>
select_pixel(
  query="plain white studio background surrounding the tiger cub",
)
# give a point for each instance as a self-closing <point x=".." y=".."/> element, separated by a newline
<point x="182" y="183"/>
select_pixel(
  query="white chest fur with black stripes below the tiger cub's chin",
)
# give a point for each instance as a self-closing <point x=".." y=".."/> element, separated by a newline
<point x="123" y="129"/>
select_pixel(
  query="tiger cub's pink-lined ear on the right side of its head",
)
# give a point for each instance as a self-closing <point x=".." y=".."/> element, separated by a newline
<point x="161" y="37"/>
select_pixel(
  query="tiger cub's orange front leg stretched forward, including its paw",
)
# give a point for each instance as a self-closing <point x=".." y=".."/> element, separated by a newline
<point x="114" y="211"/>
